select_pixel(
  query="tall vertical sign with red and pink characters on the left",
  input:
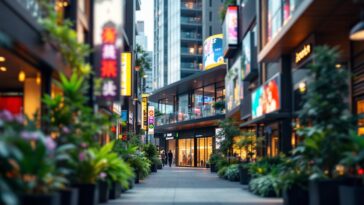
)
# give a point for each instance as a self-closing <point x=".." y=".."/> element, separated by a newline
<point x="108" y="71"/>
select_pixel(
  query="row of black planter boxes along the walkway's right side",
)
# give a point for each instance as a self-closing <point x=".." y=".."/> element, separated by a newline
<point x="324" y="192"/>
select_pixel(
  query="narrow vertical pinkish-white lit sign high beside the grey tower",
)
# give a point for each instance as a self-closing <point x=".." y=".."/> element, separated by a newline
<point x="231" y="25"/>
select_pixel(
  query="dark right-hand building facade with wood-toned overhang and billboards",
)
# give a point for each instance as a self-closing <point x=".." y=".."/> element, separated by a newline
<point x="276" y="43"/>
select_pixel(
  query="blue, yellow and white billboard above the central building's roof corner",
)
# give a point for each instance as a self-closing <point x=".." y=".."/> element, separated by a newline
<point x="212" y="52"/>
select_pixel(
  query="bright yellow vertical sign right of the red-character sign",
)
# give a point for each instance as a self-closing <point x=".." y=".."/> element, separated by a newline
<point x="126" y="74"/>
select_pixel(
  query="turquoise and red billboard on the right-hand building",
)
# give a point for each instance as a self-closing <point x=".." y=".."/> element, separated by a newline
<point x="266" y="98"/>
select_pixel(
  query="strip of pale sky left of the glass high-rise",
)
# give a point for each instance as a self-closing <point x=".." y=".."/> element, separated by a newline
<point x="146" y="14"/>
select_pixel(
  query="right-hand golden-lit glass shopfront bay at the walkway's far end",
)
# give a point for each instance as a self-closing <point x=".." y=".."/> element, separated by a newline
<point x="204" y="150"/>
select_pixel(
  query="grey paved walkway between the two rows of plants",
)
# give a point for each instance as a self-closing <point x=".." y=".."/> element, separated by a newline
<point x="188" y="186"/>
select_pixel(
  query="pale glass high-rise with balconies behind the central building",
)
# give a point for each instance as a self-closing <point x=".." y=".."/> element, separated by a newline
<point x="177" y="40"/>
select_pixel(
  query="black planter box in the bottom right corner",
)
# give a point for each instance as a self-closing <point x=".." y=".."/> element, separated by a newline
<point x="351" y="195"/>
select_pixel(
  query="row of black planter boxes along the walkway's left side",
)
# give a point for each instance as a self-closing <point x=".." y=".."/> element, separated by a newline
<point x="81" y="194"/>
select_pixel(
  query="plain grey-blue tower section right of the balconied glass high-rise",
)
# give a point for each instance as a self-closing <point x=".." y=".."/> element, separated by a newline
<point x="211" y="21"/>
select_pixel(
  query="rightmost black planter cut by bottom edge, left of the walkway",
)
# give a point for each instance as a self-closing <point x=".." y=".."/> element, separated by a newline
<point x="88" y="194"/>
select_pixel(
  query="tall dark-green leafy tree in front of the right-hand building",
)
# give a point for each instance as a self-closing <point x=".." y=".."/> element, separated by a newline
<point x="325" y="115"/>
